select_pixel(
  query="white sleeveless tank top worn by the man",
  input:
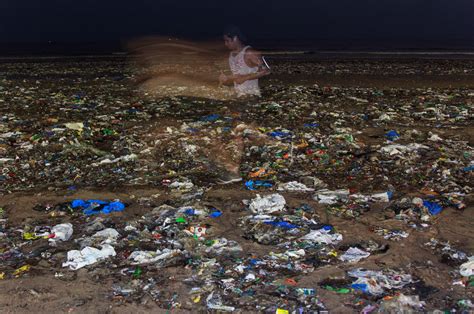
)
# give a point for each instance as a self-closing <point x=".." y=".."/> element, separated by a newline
<point x="238" y="66"/>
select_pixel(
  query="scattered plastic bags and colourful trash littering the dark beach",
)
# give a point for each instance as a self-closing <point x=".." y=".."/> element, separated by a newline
<point x="318" y="164"/>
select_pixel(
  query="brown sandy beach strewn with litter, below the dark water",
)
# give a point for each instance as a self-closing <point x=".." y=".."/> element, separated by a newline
<point x="84" y="128"/>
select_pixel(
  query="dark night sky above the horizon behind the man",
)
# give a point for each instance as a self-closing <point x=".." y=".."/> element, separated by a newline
<point x="107" y="20"/>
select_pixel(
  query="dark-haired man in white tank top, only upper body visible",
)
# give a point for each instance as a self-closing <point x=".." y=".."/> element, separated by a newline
<point x="246" y="64"/>
